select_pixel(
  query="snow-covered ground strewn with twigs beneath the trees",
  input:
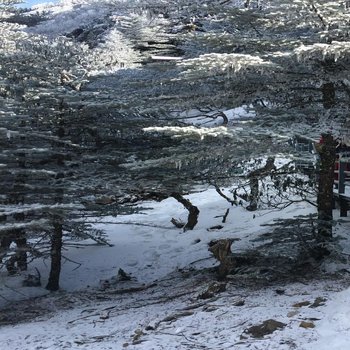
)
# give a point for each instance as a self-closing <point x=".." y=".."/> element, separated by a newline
<point x="171" y="302"/>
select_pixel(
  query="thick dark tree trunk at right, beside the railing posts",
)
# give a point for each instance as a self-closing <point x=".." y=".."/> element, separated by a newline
<point x="327" y="153"/>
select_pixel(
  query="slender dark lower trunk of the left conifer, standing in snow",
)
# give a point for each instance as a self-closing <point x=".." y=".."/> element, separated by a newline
<point x="56" y="251"/>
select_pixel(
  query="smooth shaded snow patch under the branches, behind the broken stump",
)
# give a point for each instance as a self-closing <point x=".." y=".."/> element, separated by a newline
<point x="149" y="247"/>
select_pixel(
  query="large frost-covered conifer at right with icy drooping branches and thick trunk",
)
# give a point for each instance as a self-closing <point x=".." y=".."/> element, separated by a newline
<point x="285" y="61"/>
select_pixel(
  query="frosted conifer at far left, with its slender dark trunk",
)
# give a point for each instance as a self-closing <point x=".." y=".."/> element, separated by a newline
<point x="40" y="180"/>
